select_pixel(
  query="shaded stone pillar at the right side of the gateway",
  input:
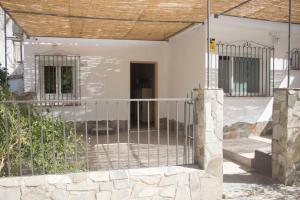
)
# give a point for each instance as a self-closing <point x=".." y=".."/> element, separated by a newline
<point x="286" y="135"/>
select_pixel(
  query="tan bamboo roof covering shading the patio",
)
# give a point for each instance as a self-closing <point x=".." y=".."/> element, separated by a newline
<point x="133" y="19"/>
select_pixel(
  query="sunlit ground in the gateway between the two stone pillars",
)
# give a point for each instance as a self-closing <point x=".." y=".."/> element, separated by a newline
<point x="242" y="184"/>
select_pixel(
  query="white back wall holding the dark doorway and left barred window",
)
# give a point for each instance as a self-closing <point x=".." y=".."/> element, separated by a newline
<point x="105" y="64"/>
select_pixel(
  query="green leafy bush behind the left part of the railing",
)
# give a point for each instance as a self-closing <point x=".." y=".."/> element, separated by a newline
<point x="31" y="138"/>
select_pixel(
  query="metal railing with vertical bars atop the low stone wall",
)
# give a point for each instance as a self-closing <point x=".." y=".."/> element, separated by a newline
<point x="44" y="137"/>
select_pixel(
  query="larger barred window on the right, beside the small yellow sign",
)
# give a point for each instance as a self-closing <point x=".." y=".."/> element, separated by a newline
<point x="245" y="70"/>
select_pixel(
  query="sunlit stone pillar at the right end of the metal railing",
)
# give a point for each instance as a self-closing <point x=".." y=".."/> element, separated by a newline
<point x="208" y="116"/>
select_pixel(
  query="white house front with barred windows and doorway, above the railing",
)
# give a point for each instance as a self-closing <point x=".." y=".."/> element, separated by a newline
<point x="73" y="68"/>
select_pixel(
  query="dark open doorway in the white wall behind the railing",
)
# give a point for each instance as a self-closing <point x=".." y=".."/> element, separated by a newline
<point x="142" y="86"/>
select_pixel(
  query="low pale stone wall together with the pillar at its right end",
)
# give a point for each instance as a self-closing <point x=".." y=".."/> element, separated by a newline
<point x="173" y="182"/>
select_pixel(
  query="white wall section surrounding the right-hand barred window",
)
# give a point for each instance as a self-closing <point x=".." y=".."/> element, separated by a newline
<point x="229" y="29"/>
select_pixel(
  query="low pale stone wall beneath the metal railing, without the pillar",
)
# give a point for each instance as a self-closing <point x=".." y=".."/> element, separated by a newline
<point x="178" y="183"/>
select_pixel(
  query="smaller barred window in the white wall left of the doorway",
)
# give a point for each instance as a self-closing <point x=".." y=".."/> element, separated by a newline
<point x="57" y="77"/>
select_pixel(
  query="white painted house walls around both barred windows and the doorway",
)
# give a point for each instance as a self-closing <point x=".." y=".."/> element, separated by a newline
<point x="105" y="64"/>
